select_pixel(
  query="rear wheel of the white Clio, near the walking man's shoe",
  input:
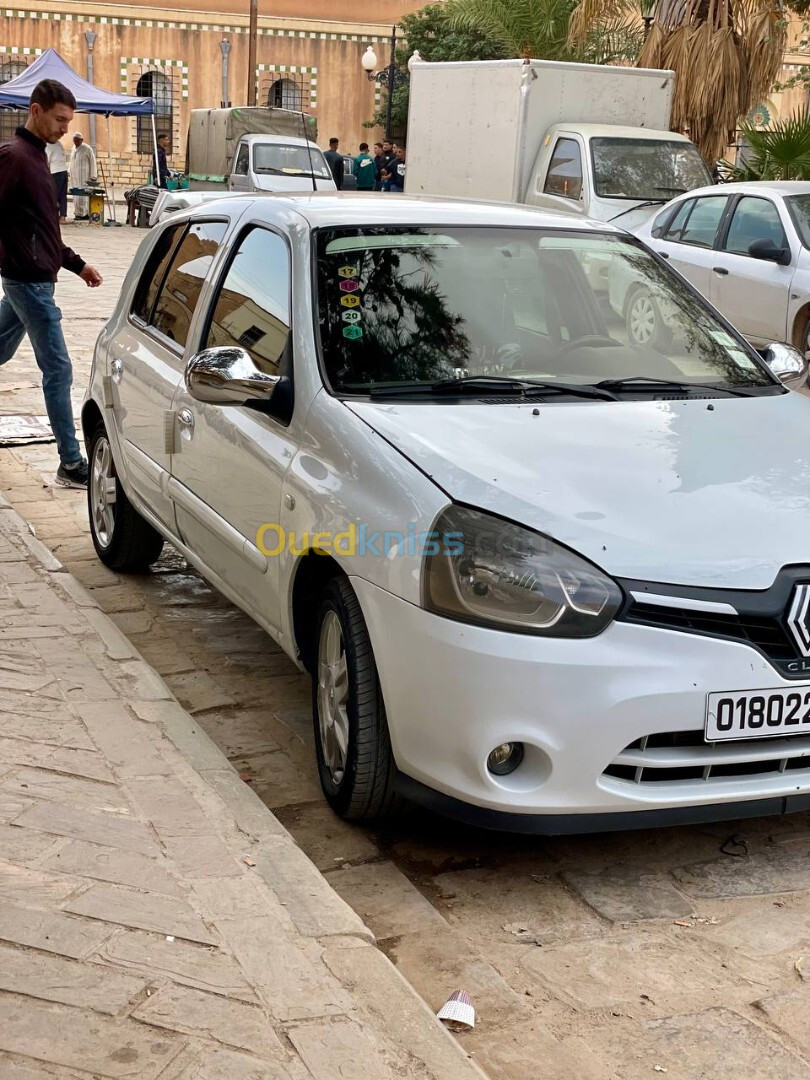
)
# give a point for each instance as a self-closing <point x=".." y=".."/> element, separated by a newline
<point x="123" y="539"/>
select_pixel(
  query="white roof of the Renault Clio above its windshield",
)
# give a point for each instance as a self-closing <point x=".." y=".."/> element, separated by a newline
<point x="325" y="209"/>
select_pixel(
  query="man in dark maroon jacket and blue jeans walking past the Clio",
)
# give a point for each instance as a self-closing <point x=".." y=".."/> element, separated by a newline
<point x="32" y="254"/>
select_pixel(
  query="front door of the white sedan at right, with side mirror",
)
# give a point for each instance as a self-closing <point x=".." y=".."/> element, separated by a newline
<point x="753" y="293"/>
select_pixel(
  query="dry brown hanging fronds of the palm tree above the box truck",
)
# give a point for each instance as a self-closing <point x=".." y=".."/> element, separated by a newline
<point x="726" y="56"/>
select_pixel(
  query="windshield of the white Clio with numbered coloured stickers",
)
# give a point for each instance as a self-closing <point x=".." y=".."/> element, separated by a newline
<point x="417" y="305"/>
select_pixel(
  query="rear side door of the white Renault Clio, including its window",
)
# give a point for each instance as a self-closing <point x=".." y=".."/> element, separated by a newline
<point x="146" y="358"/>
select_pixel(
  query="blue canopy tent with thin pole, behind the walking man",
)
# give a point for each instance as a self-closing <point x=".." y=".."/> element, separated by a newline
<point x="17" y="93"/>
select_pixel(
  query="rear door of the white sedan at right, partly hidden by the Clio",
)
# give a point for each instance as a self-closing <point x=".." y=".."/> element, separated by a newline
<point x="688" y="241"/>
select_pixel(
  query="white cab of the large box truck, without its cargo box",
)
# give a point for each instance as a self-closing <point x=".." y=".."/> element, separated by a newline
<point x="613" y="173"/>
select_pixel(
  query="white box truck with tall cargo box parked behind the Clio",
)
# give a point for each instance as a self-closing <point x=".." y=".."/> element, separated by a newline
<point x="585" y="139"/>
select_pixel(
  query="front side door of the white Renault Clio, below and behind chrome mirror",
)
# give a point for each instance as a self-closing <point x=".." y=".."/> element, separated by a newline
<point x="228" y="475"/>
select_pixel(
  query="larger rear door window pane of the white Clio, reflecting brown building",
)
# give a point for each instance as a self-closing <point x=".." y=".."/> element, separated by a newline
<point x="179" y="296"/>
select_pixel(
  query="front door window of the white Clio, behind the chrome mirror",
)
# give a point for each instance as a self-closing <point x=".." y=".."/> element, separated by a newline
<point x="252" y="309"/>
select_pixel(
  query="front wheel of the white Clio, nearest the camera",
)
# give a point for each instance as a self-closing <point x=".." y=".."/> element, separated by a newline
<point x="353" y="742"/>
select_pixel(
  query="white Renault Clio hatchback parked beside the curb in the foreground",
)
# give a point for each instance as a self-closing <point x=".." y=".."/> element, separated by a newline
<point x="544" y="578"/>
